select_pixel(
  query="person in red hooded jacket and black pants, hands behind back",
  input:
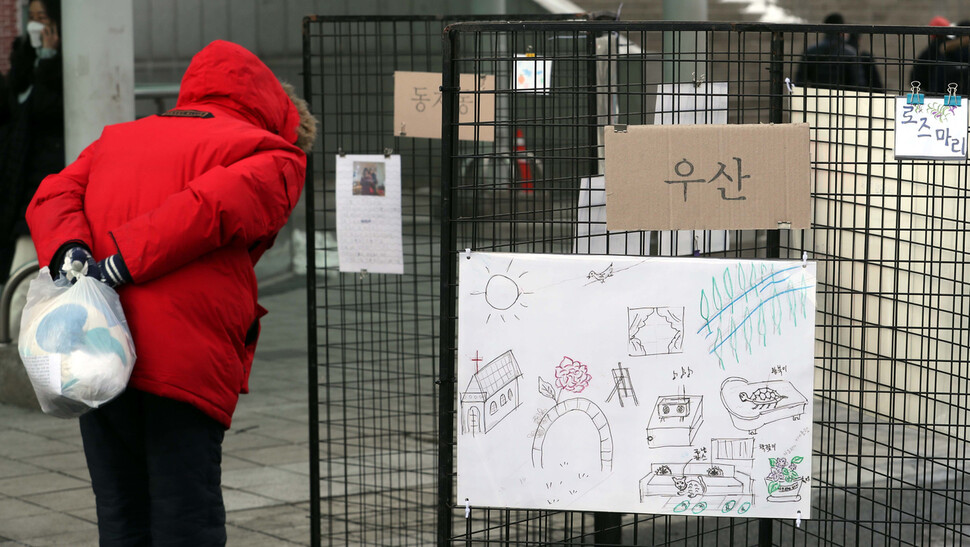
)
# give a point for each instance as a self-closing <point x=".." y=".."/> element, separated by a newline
<point x="174" y="210"/>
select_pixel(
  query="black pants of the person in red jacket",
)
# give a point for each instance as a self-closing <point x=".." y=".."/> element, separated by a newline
<point x="155" y="466"/>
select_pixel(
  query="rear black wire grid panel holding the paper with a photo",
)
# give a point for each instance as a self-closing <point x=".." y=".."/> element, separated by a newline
<point x="373" y="338"/>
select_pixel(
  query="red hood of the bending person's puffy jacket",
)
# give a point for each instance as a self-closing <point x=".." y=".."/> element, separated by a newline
<point x="230" y="75"/>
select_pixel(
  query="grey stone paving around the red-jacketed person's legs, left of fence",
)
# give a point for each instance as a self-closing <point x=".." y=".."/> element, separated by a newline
<point x="45" y="492"/>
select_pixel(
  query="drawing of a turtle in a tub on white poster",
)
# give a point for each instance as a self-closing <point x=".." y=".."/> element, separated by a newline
<point x="754" y="404"/>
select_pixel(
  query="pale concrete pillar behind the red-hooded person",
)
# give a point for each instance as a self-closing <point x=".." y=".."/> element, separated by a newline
<point x="99" y="69"/>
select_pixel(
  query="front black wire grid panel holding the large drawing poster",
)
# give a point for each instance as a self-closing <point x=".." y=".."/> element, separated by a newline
<point x="891" y="386"/>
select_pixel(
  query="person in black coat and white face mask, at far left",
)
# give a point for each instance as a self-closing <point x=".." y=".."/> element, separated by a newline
<point x="32" y="134"/>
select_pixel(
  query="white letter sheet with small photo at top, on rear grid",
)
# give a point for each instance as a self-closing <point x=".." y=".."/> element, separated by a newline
<point x="369" y="213"/>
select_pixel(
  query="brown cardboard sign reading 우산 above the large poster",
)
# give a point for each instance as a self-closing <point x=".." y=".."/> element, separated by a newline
<point x="708" y="177"/>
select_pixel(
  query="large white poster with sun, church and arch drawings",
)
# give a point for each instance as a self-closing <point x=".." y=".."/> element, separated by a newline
<point x="636" y="384"/>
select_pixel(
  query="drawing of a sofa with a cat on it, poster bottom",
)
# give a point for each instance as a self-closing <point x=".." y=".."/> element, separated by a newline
<point x="692" y="480"/>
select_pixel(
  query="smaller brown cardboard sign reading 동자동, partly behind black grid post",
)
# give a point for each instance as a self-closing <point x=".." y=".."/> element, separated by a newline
<point x="417" y="106"/>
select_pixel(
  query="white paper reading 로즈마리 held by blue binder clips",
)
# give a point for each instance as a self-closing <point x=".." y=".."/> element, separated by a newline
<point x="931" y="130"/>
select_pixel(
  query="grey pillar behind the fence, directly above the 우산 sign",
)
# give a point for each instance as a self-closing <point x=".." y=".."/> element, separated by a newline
<point x="689" y="46"/>
